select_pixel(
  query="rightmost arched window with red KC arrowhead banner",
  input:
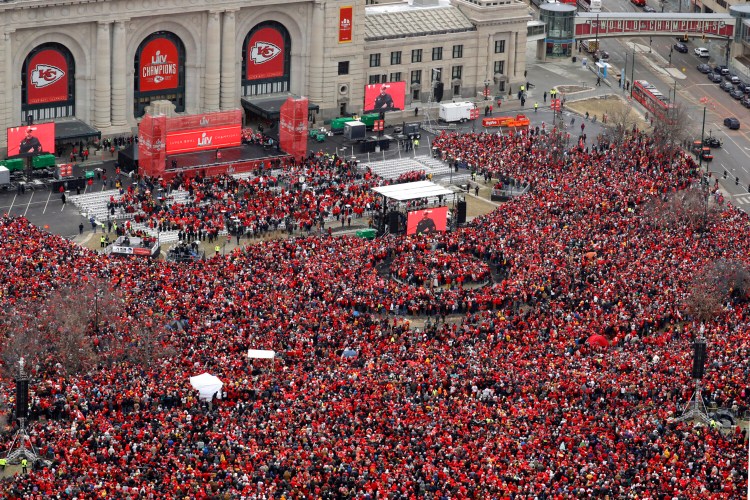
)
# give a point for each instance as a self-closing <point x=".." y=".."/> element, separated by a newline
<point x="266" y="59"/>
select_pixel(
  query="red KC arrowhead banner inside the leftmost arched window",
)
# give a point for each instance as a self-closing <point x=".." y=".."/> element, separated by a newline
<point x="47" y="78"/>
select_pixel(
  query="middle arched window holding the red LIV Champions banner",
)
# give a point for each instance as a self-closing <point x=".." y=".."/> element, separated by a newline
<point x="159" y="72"/>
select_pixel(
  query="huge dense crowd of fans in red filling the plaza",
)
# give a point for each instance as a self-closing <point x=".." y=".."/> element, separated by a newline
<point x="501" y="397"/>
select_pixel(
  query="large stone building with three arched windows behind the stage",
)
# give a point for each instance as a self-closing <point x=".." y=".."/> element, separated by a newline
<point x="103" y="62"/>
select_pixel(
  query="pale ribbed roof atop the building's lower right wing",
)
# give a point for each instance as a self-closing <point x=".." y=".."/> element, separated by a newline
<point x="383" y="24"/>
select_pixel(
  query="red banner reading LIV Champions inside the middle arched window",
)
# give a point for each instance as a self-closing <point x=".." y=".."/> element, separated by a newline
<point x="159" y="65"/>
